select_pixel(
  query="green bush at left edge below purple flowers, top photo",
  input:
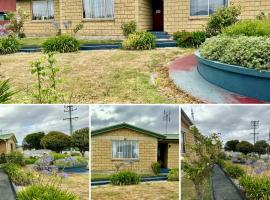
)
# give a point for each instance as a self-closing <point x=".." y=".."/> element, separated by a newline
<point x="9" y="45"/>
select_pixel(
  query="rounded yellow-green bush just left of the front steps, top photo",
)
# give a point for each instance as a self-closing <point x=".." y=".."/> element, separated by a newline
<point x="140" y="41"/>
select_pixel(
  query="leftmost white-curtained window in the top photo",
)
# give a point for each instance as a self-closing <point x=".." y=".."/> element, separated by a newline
<point x="43" y="9"/>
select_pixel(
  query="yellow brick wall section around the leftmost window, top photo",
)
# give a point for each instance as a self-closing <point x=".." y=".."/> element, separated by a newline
<point x="38" y="27"/>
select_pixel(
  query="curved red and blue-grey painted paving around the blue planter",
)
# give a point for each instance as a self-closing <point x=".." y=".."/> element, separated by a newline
<point x="183" y="71"/>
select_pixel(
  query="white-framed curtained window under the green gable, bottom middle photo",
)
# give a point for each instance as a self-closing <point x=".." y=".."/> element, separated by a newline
<point x="120" y="154"/>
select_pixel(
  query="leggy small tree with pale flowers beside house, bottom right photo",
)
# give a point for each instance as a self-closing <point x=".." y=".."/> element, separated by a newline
<point x="207" y="151"/>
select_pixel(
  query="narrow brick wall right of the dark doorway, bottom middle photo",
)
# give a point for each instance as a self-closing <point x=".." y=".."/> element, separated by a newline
<point x="173" y="155"/>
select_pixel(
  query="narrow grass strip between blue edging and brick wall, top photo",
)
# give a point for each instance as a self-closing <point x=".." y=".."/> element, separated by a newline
<point x="40" y="40"/>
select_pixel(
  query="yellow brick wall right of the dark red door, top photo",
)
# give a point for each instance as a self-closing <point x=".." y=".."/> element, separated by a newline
<point x="177" y="16"/>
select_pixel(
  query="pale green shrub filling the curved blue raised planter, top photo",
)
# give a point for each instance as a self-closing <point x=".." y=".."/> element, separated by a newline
<point x="250" y="52"/>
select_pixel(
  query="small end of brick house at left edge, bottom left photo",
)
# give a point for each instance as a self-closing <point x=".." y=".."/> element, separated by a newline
<point x="7" y="143"/>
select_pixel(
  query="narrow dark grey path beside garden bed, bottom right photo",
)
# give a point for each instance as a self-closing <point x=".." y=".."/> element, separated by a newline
<point x="222" y="187"/>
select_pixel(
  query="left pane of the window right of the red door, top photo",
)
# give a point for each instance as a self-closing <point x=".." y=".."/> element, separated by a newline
<point x="198" y="7"/>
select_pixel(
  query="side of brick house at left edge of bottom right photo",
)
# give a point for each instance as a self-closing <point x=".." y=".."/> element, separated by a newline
<point x="187" y="138"/>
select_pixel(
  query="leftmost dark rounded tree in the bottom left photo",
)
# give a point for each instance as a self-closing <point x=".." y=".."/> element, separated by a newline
<point x="32" y="141"/>
